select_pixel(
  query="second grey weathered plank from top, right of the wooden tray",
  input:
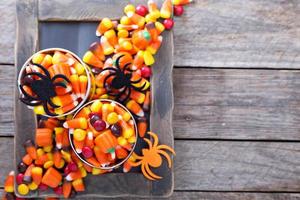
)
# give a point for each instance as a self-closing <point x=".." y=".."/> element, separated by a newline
<point x="237" y="104"/>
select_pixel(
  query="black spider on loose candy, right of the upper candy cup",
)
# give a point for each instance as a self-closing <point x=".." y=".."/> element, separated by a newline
<point x="121" y="83"/>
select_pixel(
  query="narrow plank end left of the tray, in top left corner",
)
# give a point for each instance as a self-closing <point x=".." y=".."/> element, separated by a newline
<point x="8" y="31"/>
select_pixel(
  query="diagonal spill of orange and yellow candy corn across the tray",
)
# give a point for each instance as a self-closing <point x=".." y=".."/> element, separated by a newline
<point x="49" y="162"/>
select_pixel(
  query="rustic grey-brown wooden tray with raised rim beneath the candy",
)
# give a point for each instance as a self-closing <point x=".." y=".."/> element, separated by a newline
<point x="71" y="24"/>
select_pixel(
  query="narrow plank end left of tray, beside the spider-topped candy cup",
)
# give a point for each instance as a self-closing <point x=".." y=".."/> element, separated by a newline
<point x="7" y="74"/>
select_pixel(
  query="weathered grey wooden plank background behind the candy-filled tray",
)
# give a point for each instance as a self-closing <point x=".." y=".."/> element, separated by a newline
<point x="236" y="97"/>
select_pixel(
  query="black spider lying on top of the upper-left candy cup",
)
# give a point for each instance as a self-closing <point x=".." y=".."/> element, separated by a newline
<point x="43" y="88"/>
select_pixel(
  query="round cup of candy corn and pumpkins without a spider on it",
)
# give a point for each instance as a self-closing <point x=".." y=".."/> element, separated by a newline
<point x="107" y="129"/>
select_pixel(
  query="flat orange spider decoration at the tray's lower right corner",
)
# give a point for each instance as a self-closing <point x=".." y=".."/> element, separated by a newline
<point x="151" y="157"/>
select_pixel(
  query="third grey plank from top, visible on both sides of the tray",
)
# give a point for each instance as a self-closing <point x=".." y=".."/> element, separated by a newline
<point x="223" y="166"/>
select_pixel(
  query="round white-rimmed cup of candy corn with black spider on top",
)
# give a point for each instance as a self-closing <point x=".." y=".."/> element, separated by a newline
<point x="78" y="101"/>
